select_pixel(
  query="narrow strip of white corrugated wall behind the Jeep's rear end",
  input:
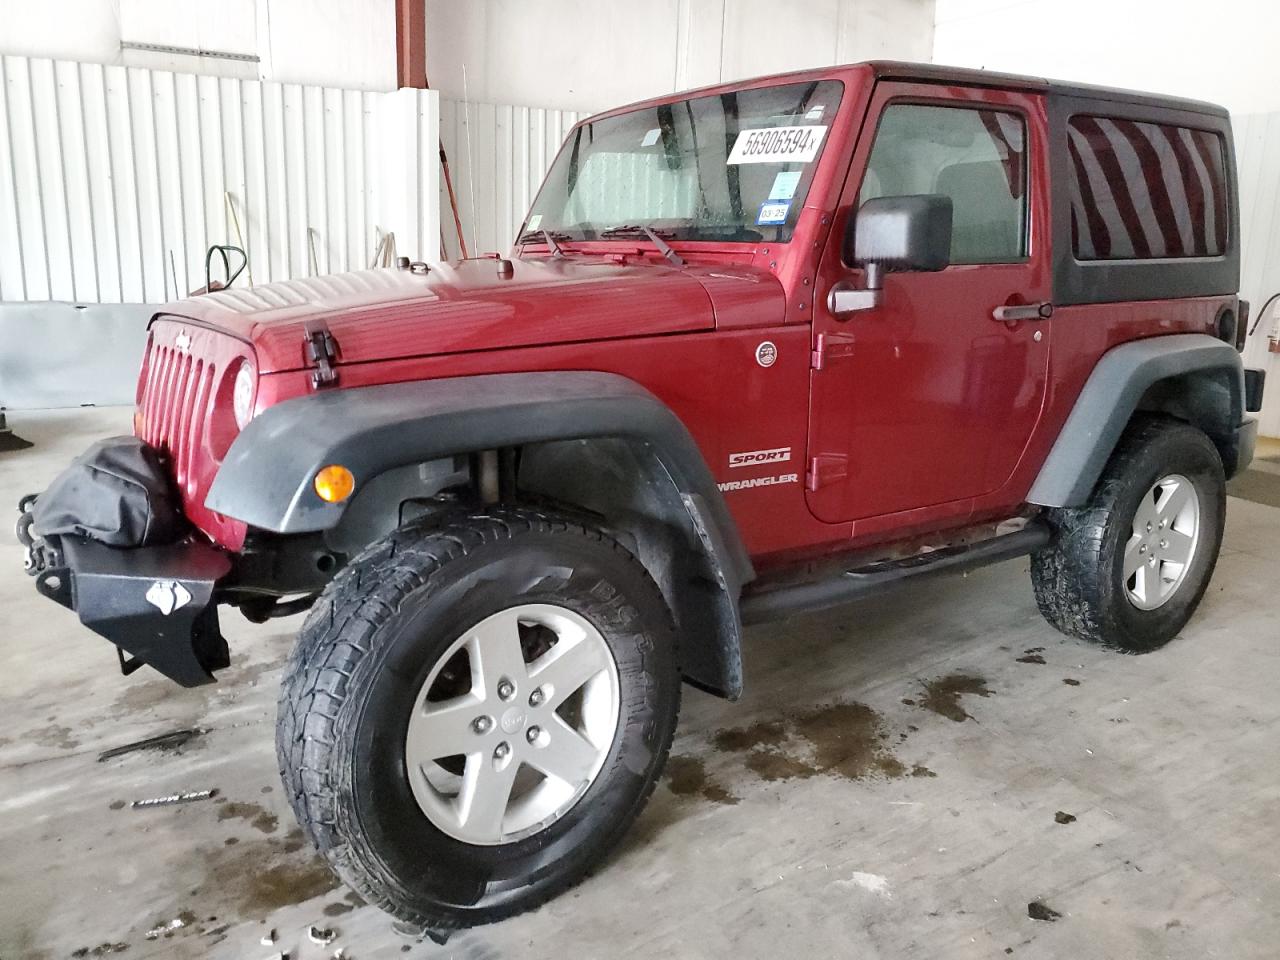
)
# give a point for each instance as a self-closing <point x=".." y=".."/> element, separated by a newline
<point x="1258" y="156"/>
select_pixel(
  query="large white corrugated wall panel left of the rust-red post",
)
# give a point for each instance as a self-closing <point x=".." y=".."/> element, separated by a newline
<point x="108" y="172"/>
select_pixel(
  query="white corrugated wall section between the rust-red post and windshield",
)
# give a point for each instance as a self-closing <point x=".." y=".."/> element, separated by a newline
<point x="497" y="157"/>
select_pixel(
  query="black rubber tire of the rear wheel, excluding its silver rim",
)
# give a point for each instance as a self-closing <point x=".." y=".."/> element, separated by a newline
<point x="1078" y="578"/>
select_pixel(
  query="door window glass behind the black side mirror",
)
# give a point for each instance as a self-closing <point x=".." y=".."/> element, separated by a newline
<point x="979" y="158"/>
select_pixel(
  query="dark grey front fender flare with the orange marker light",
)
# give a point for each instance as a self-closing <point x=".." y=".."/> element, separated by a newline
<point x="267" y="479"/>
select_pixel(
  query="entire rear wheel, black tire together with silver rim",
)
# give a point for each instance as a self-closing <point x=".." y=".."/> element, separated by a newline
<point x="1130" y="568"/>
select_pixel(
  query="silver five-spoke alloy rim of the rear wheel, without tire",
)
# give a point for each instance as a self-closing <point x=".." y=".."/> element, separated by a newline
<point x="1163" y="543"/>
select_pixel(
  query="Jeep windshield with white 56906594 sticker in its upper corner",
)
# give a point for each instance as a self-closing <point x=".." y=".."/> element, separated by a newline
<point x="734" y="167"/>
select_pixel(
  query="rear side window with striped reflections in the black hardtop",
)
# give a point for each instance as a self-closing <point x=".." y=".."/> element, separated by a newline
<point x="1146" y="191"/>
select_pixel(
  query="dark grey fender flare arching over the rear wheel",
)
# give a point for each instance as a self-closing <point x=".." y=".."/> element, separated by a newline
<point x="1206" y="380"/>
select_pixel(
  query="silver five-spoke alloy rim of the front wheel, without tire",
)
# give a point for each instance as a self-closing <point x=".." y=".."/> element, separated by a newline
<point x="514" y="724"/>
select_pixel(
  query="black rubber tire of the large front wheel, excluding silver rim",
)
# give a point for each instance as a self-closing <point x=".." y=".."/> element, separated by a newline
<point x="358" y="666"/>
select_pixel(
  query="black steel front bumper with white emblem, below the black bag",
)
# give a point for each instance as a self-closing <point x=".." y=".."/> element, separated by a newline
<point x="156" y="604"/>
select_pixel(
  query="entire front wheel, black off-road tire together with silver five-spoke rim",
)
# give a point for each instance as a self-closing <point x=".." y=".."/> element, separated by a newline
<point x="476" y="712"/>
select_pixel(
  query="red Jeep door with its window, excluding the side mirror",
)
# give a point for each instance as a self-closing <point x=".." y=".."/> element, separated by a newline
<point x="929" y="399"/>
